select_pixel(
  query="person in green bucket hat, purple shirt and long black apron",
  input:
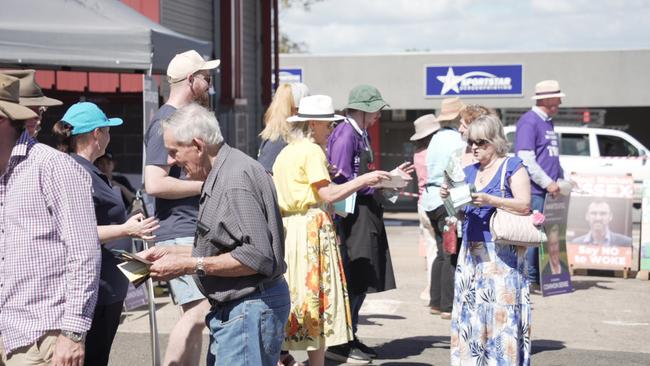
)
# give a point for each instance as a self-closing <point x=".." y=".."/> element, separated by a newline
<point x="365" y="252"/>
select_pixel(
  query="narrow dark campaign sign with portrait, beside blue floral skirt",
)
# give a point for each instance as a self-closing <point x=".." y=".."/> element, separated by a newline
<point x="555" y="275"/>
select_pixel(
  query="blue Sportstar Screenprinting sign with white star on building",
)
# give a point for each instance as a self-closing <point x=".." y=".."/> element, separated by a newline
<point x="490" y="80"/>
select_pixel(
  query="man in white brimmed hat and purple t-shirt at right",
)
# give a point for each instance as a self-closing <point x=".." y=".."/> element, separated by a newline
<point x="536" y="143"/>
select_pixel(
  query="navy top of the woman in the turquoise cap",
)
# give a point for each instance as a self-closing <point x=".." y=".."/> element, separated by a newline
<point x="109" y="210"/>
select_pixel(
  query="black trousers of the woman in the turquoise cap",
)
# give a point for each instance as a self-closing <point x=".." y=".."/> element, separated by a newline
<point x="101" y="334"/>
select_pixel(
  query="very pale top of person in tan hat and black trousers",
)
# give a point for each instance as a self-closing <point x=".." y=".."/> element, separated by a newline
<point x="442" y="145"/>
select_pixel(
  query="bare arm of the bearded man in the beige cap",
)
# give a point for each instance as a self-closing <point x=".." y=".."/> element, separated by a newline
<point x="159" y="184"/>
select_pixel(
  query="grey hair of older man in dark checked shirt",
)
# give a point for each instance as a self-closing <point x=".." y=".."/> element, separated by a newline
<point x="194" y="121"/>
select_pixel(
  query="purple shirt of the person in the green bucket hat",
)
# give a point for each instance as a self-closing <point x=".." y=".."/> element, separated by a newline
<point x="344" y="148"/>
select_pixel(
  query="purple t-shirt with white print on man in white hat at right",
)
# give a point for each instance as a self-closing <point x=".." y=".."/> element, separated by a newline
<point x="535" y="134"/>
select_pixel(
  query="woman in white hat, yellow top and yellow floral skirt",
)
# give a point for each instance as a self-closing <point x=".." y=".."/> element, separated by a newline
<point x="320" y="313"/>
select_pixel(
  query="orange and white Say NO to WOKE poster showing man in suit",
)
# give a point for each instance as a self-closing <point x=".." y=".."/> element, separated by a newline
<point x="599" y="227"/>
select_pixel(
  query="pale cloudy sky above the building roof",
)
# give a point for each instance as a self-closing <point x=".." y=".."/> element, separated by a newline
<point x="388" y="26"/>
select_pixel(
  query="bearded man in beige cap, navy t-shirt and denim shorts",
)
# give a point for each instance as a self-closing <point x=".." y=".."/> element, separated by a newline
<point x="177" y="201"/>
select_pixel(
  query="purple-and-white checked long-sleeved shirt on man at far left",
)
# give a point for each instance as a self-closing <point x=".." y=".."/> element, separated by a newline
<point x="49" y="249"/>
